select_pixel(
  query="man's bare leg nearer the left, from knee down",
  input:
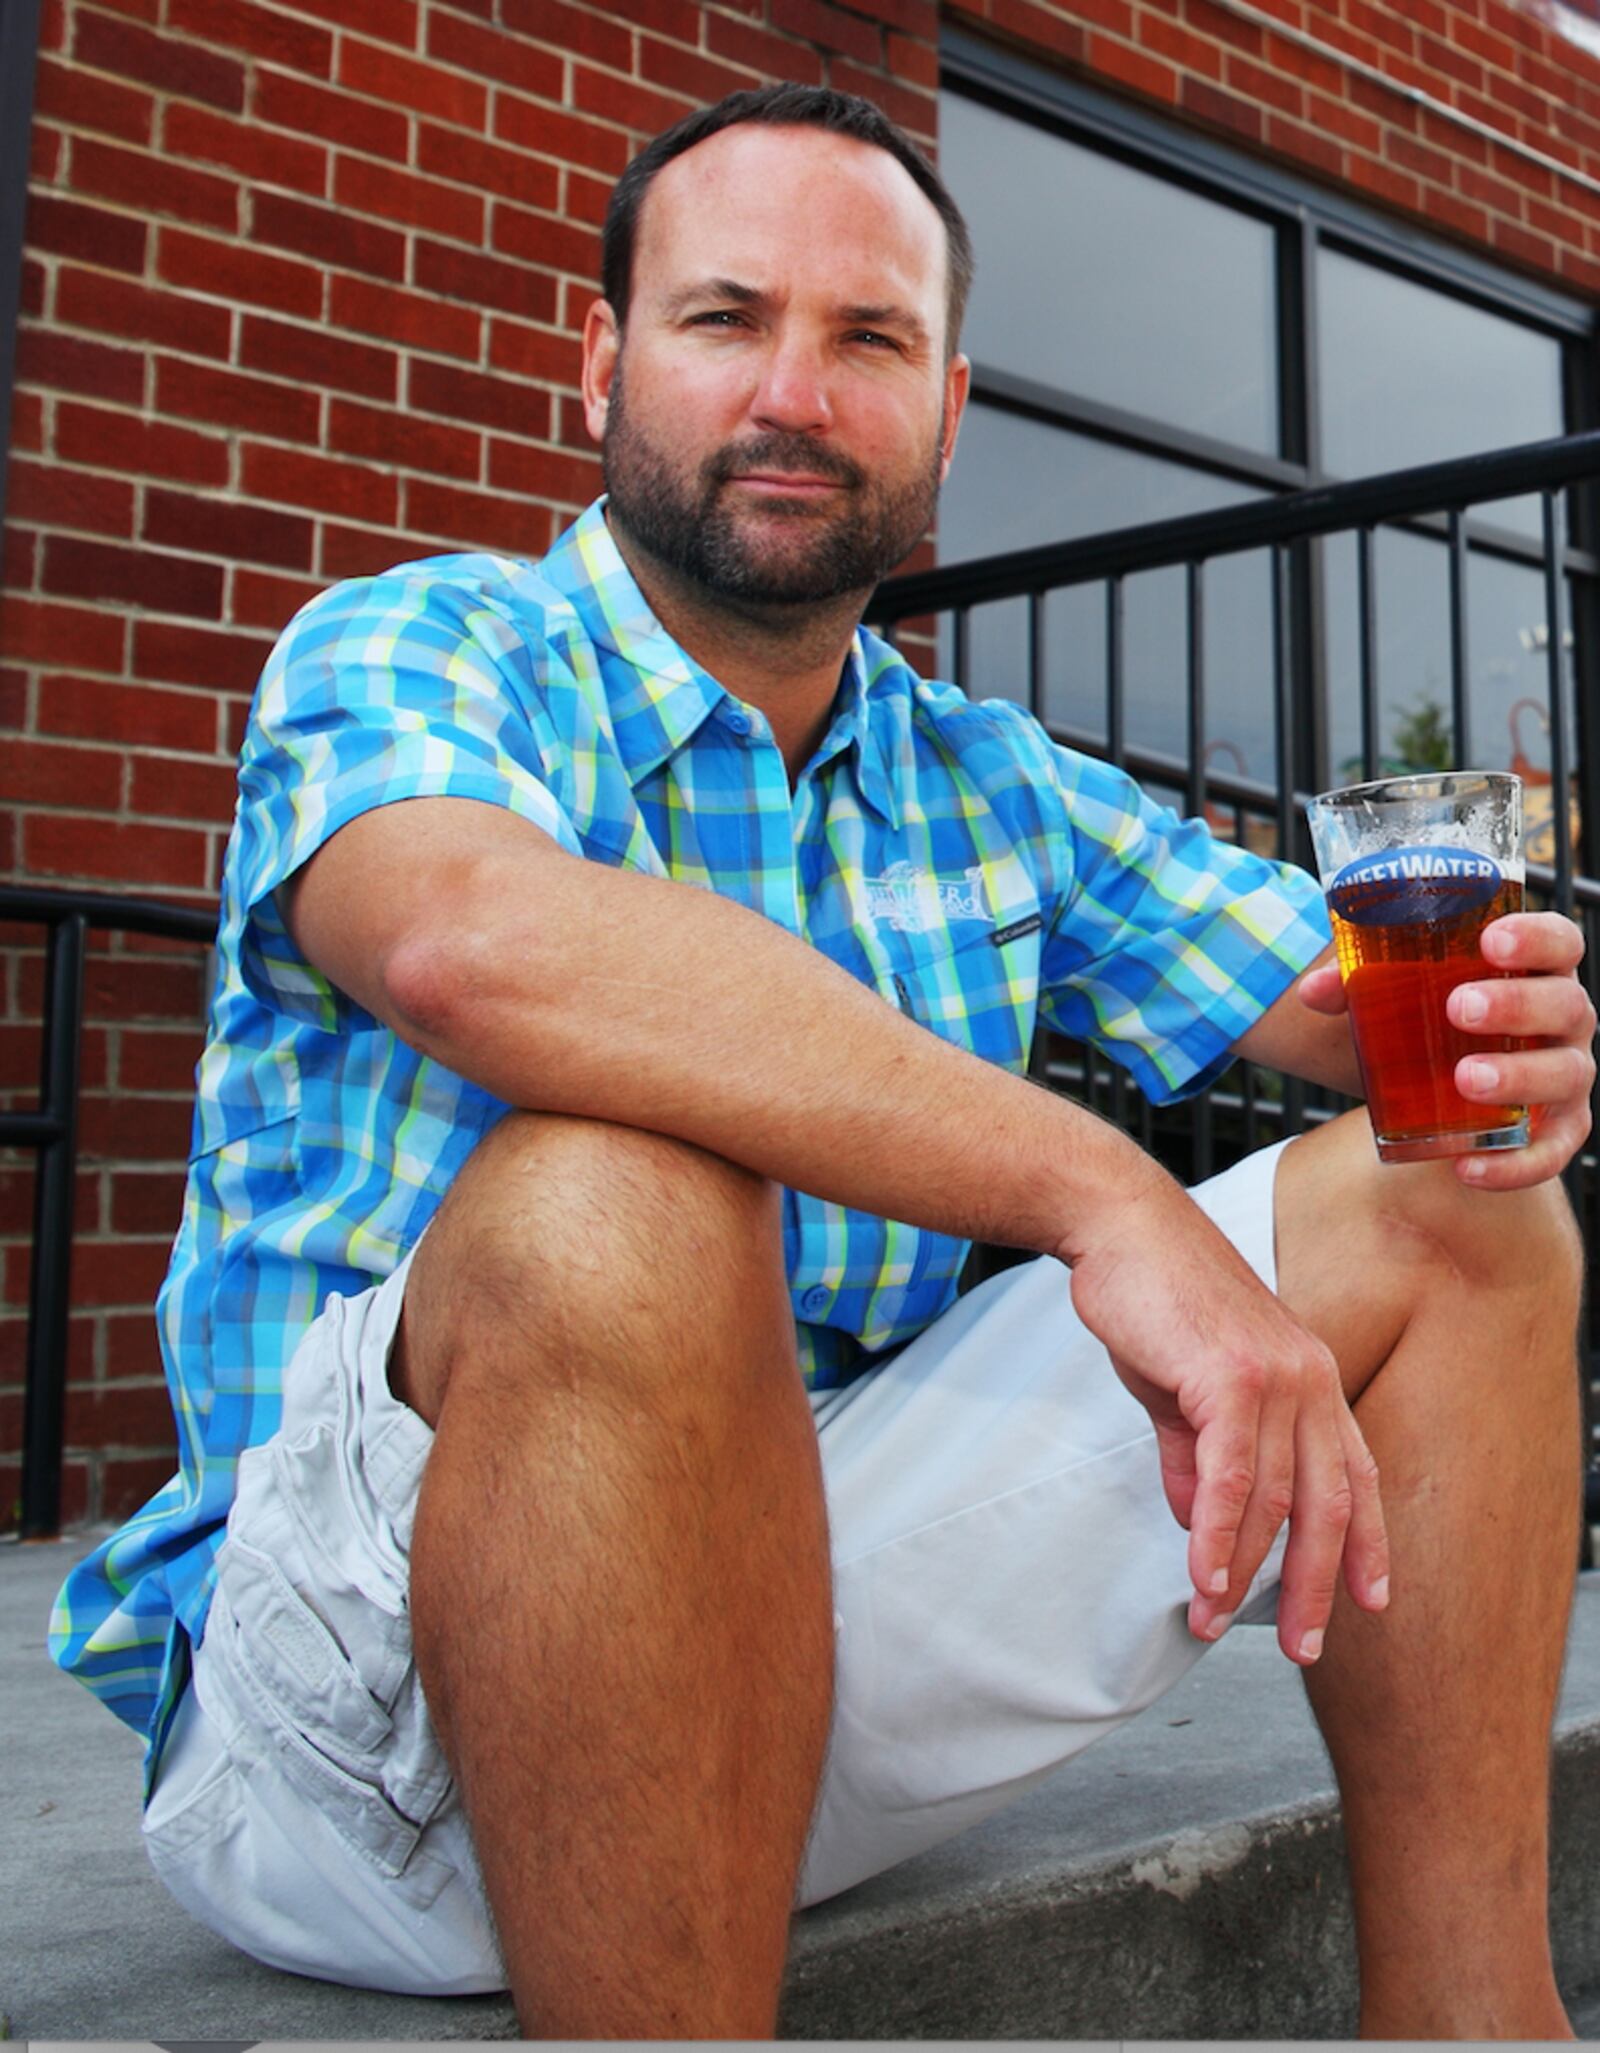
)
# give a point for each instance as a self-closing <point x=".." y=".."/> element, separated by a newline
<point x="619" y="1580"/>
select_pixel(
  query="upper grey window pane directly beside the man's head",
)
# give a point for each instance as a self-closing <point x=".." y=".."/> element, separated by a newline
<point x="1110" y="284"/>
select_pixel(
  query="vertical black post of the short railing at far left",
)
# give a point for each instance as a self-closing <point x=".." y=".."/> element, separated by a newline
<point x="52" y="1233"/>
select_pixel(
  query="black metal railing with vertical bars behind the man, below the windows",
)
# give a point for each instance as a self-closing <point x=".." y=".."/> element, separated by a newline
<point x="1433" y="502"/>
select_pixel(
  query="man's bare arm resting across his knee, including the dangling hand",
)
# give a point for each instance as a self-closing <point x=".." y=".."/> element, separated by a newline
<point x="576" y="989"/>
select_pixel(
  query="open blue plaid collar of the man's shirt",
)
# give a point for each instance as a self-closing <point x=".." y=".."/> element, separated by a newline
<point x="660" y="697"/>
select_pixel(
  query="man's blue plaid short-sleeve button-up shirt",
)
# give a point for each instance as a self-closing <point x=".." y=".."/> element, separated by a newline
<point x="942" y="851"/>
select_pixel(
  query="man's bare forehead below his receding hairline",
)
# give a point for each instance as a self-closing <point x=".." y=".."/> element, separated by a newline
<point x="757" y="194"/>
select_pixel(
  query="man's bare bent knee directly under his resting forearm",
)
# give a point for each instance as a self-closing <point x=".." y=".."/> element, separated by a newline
<point x="609" y="1237"/>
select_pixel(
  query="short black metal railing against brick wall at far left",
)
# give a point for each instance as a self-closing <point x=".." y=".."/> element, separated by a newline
<point x="52" y="1134"/>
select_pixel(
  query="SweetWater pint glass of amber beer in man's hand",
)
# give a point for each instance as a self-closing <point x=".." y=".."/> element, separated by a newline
<point x="1414" y="869"/>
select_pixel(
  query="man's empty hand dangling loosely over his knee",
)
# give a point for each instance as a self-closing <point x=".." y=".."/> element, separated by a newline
<point x="1250" y="1416"/>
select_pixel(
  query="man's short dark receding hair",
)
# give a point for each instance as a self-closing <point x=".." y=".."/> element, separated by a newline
<point x="790" y="106"/>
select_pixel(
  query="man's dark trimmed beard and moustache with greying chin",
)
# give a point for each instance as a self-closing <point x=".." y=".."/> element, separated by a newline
<point x="790" y="553"/>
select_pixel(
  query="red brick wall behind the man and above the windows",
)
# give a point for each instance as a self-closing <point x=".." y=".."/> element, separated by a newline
<point x="303" y="295"/>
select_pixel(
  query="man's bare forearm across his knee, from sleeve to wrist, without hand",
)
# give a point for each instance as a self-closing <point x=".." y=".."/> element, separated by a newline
<point x="576" y="989"/>
